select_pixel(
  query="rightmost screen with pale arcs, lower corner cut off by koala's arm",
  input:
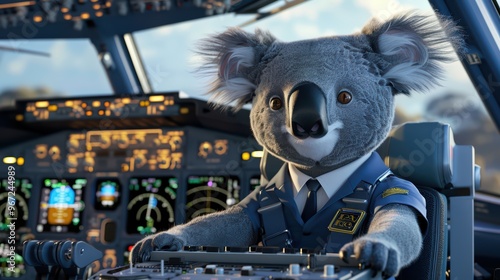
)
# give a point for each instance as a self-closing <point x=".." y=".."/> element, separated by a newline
<point x="208" y="194"/>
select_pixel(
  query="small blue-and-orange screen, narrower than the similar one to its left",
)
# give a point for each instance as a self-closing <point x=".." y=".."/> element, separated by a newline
<point x="108" y="193"/>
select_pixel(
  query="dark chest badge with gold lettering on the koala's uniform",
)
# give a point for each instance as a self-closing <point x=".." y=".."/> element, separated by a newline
<point x="347" y="220"/>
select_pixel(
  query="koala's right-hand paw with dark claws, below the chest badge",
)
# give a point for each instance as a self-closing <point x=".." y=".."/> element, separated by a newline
<point x="377" y="254"/>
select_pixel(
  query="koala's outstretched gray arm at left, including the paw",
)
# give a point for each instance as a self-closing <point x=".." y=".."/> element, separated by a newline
<point x="231" y="227"/>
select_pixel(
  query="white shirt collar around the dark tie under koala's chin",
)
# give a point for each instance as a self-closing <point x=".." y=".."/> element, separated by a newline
<point x="330" y="181"/>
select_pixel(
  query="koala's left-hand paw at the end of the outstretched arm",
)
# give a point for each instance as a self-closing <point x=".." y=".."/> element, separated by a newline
<point x="160" y="241"/>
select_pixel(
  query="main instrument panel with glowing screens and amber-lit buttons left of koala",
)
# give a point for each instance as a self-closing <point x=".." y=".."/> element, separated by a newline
<point x="112" y="187"/>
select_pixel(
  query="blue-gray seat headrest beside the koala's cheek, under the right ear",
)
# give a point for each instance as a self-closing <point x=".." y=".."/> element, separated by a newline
<point x="421" y="153"/>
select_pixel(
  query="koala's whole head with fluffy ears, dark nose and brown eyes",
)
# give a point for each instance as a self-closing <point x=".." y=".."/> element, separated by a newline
<point x="323" y="103"/>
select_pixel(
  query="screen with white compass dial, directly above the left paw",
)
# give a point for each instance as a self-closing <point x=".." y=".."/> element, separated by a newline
<point x="151" y="204"/>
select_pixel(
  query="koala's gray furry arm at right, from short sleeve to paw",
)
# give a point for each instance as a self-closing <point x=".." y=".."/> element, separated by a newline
<point x="393" y="240"/>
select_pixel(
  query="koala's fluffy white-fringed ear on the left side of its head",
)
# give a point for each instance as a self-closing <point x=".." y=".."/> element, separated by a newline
<point x="233" y="58"/>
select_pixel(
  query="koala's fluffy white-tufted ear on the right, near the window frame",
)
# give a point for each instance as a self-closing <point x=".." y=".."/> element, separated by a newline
<point x="412" y="47"/>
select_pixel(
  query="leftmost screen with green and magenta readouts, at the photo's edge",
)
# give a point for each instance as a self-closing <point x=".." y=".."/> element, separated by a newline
<point x="17" y="194"/>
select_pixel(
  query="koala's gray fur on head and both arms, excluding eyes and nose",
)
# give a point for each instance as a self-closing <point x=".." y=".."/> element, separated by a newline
<point x="396" y="56"/>
